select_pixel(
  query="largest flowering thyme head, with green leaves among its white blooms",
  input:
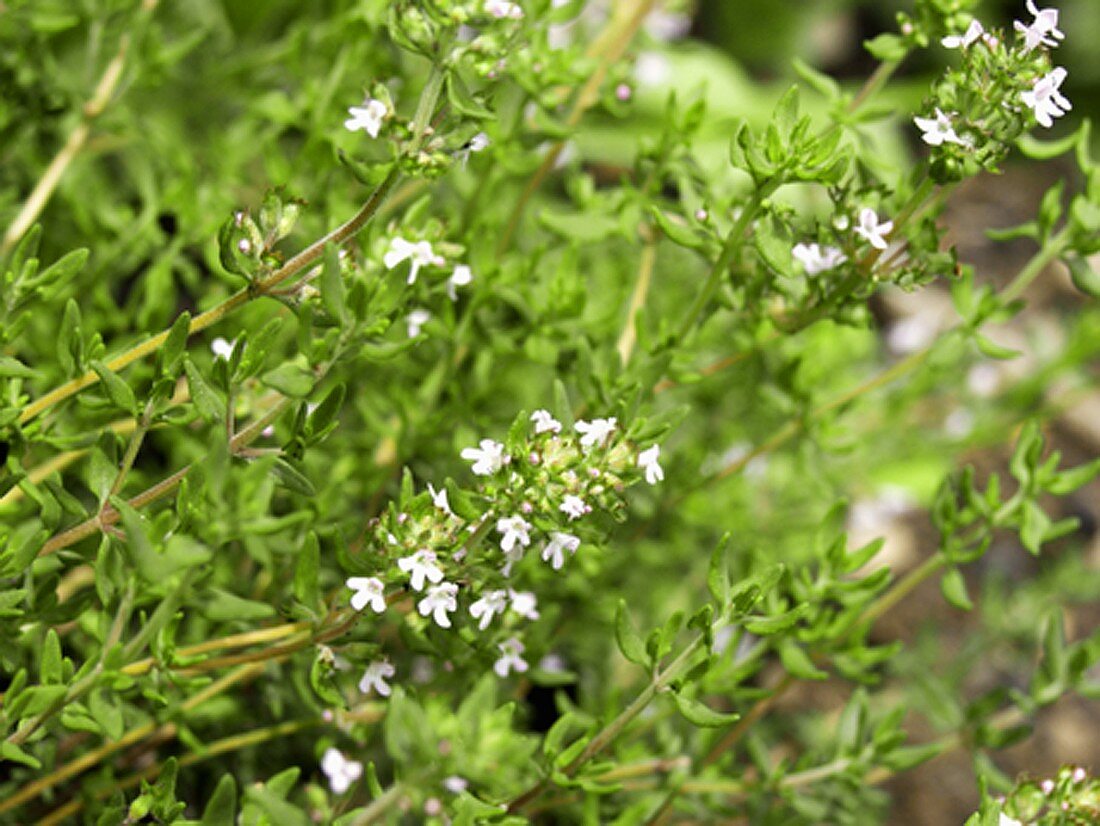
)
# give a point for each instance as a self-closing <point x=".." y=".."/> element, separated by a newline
<point x="466" y="555"/>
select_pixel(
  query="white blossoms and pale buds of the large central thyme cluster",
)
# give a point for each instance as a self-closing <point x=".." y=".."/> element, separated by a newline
<point x="585" y="465"/>
